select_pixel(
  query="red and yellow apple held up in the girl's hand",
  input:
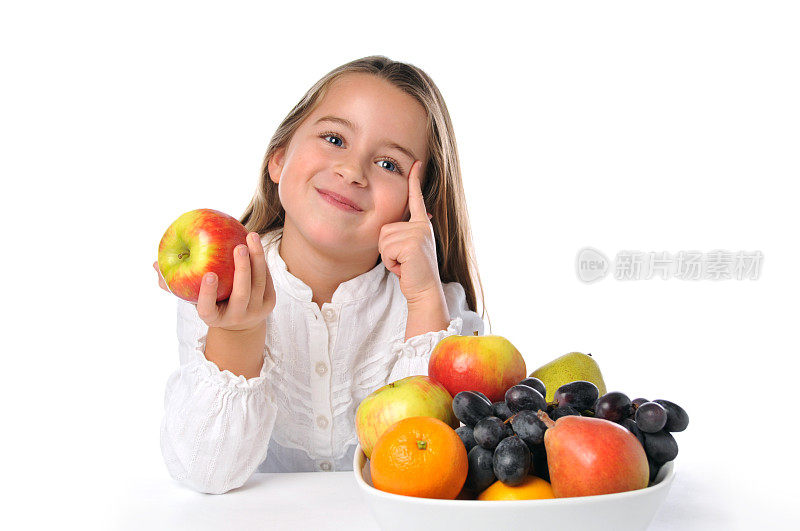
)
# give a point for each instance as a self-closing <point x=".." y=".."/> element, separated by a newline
<point x="199" y="242"/>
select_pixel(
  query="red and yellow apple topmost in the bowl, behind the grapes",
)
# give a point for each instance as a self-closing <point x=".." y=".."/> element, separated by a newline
<point x="489" y="364"/>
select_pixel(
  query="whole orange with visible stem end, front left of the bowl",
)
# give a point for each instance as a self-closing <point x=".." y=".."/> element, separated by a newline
<point x="419" y="456"/>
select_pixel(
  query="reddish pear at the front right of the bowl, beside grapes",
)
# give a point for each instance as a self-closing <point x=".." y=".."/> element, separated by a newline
<point x="588" y="456"/>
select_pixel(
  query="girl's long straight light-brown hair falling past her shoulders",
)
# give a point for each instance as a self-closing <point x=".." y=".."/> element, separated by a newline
<point x="442" y="189"/>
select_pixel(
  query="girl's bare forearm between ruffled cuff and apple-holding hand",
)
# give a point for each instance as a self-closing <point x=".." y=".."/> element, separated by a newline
<point x="238" y="351"/>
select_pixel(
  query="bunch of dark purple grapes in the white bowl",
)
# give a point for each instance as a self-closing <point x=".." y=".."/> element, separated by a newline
<point x="505" y="440"/>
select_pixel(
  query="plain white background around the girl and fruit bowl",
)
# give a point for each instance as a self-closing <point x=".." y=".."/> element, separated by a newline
<point x="622" y="126"/>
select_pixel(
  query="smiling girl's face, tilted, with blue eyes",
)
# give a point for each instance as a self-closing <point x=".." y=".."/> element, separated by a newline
<point x="359" y="143"/>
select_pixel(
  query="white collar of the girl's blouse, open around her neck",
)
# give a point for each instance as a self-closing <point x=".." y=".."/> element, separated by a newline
<point x="356" y="288"/>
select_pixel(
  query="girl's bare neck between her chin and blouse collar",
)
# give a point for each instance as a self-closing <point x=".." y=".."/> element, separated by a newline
<point x="320" y="271"/>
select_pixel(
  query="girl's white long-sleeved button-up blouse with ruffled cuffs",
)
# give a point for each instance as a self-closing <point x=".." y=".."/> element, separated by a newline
<point x="298" y="415"/>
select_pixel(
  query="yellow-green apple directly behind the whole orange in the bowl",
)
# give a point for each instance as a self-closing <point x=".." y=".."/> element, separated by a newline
<point x="414" y="396"/>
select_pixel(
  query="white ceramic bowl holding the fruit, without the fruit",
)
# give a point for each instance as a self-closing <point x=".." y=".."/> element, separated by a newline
<point x="623" y="511"/>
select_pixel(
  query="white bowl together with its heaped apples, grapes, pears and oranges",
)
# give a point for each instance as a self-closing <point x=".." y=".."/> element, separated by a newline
<point x="569" y="457"/>
